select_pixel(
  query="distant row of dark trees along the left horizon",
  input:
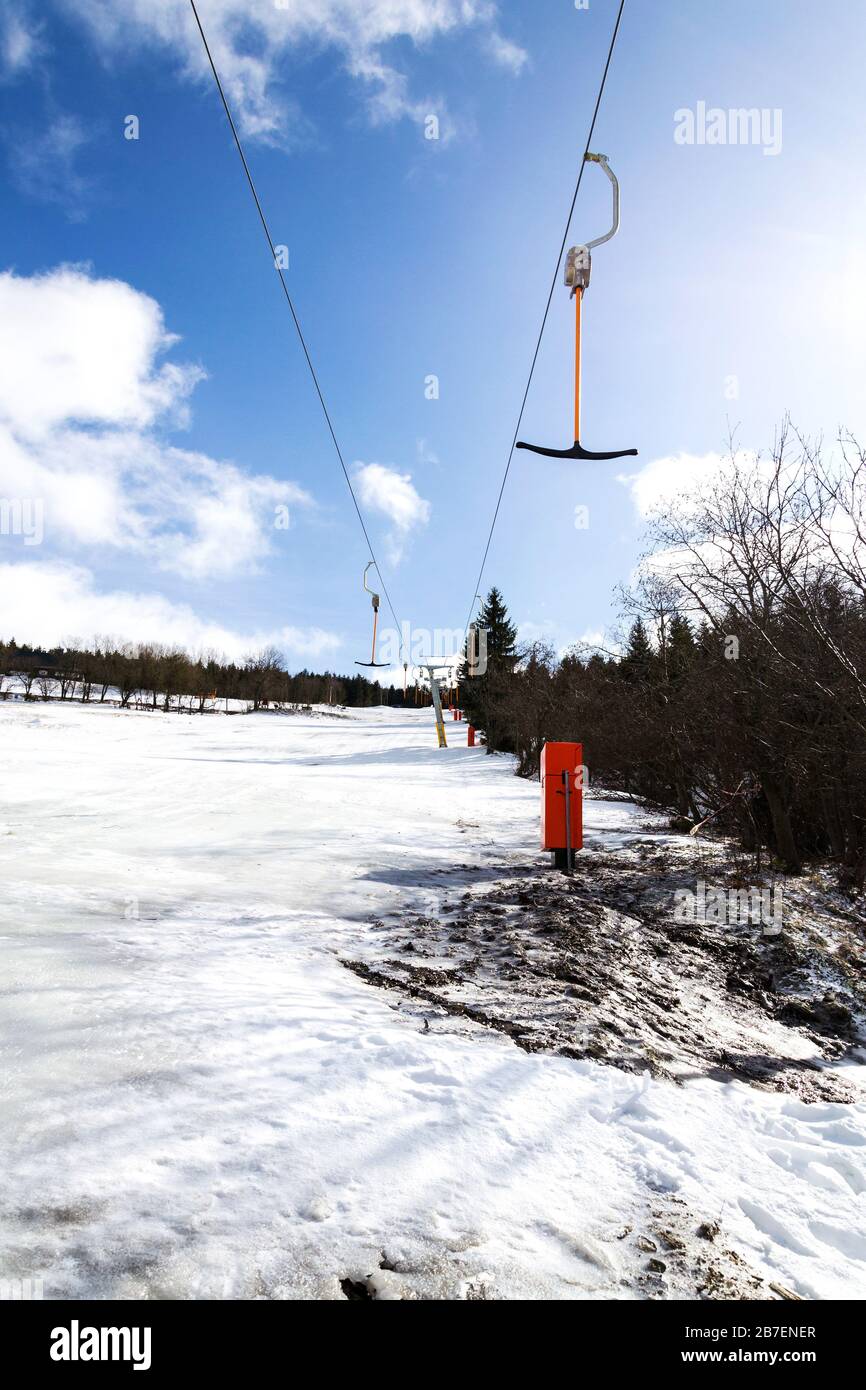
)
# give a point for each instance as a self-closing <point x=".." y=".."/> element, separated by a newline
<point x="169" y="679"/>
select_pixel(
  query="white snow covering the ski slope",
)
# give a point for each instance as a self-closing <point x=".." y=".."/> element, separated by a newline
<point x="201" y="1102"/>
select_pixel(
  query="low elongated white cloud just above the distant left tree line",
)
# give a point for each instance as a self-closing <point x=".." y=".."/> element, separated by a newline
<point x="48" y="604"/>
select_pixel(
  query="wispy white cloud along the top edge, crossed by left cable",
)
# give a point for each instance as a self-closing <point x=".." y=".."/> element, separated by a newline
<point x="251" y="40"/>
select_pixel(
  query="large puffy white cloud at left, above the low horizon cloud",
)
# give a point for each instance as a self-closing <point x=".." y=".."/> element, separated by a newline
<point x="81" y="390"/>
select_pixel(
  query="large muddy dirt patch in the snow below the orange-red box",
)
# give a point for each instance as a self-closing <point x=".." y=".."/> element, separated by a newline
<point x="598" y="967"/>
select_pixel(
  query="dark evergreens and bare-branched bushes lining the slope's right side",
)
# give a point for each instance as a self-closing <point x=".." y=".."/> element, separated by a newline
<point x="737" y="697"/>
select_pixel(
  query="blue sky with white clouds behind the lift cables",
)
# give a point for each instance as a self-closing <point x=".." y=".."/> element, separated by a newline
<point x="733" y="293"/>
